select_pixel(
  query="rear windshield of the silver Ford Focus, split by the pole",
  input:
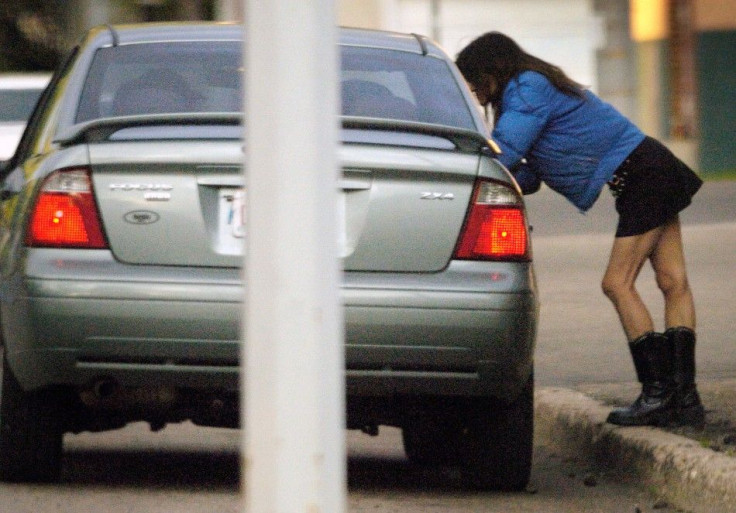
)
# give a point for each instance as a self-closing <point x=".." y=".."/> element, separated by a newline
<point x="206" y="77"/>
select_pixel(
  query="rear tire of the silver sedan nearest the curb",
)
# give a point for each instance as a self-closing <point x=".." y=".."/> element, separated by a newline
<point x="497" y="443"/>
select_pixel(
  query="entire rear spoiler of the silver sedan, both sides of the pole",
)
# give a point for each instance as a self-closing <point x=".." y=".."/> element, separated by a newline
<point x="101" y="129"/>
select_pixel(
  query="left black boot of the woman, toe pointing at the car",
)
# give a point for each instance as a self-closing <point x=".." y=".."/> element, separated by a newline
<point x="653" y="361"/>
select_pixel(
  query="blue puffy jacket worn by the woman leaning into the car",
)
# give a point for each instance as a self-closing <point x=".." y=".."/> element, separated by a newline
<point x="572" y="144"/>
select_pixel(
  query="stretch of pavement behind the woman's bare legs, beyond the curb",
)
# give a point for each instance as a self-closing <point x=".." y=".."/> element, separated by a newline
<point x="580" y="339"/>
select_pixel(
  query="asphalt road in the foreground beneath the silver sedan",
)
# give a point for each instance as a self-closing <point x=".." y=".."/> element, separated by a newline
<point x="186" y="469"/>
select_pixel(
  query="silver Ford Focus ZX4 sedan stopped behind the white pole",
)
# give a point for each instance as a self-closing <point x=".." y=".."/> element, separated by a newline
<point x="122" y="227"/>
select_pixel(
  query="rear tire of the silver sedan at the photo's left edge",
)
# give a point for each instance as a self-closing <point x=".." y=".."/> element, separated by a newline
<point x="31" y="432"/>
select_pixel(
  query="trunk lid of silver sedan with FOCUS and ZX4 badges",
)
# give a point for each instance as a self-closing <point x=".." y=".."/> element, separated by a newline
<point x="170" y="203"/>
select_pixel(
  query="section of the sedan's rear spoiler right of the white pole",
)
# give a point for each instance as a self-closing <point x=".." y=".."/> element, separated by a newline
<point x="462" y="138"/>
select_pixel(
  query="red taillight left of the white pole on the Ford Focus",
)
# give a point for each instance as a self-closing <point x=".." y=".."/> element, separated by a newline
<point x="65" y="213"/>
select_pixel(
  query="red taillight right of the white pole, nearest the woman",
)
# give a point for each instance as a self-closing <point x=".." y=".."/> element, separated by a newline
<point x="495" y="227"/>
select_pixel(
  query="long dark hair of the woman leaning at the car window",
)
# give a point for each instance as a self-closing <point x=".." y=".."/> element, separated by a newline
<point x="501" y="57"/>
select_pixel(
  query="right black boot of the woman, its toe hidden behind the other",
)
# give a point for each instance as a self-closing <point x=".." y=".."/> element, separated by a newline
<point x="690" y="411"/>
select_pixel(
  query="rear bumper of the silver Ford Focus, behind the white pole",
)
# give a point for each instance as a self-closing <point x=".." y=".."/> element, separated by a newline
<point x="469" y="330"/>
